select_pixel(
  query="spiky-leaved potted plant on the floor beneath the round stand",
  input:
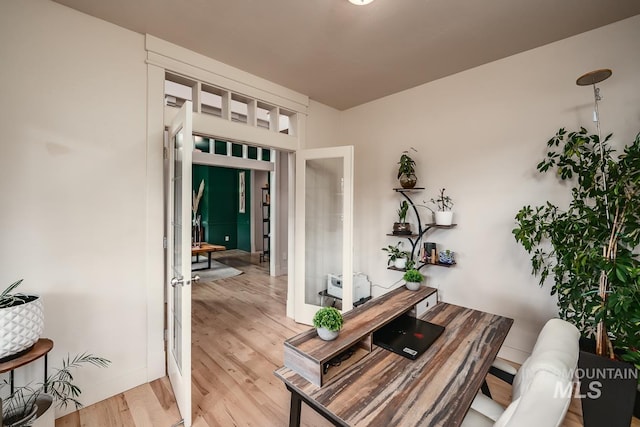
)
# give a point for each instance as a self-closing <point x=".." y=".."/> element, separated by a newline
<point x="30" y="405"/>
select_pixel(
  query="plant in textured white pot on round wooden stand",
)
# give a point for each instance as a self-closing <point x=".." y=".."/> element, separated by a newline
<point x="21" y="322"/>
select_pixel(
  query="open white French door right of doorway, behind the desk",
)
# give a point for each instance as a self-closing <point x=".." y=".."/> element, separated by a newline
<point x="323" y="227"/>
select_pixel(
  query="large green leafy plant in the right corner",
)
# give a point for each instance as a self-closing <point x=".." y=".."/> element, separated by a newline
<point x="591" y="248"/>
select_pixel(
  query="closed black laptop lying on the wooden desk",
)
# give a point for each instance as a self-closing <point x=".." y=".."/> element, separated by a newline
<point x="407" y="336"/>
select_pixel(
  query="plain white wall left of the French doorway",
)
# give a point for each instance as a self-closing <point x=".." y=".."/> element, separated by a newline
<point x="72" y="180"/>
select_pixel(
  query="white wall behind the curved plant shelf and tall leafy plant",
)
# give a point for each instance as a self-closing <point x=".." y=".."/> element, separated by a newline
<point x="480" y="134"/>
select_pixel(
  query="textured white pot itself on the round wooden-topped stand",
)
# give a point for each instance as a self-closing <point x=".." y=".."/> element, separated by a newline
<point x="20" y="327"/>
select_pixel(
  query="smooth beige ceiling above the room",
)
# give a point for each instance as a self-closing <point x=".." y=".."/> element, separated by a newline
<point x="344" y="55"/>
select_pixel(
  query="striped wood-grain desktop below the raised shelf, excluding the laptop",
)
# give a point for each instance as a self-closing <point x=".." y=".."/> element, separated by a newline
<point x="385" y="389"/>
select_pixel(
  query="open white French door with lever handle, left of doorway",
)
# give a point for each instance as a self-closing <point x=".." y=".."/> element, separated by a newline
<point x="179" y="274"/>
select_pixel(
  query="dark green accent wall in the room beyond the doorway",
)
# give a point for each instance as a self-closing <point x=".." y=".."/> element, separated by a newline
<point x="219" y="207"/>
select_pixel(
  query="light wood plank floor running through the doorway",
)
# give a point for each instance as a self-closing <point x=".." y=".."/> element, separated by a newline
<point x="239" y="325"/>
